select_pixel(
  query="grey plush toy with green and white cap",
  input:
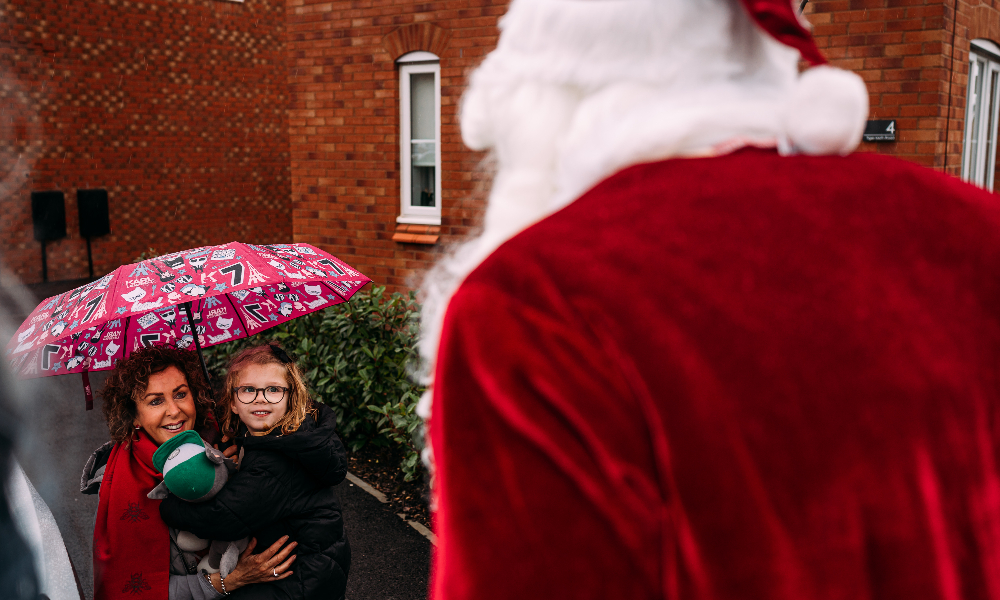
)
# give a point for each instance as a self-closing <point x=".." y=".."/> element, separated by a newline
<point x="194" y="471"/>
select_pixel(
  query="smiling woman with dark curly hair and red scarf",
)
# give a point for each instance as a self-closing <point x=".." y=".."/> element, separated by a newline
<point x="150" y="397"/>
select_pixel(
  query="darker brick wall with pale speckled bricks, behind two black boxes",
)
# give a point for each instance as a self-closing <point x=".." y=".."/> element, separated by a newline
<point x="177" y="108"/>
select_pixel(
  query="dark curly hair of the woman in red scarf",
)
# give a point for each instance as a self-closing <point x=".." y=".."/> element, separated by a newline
<point x="130" y="378"/>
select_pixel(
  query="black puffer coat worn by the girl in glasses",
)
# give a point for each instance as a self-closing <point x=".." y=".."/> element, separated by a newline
<point x="284" y="486"/>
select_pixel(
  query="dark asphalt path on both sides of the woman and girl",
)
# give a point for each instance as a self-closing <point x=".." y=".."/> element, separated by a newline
<point x="390" y="559"/>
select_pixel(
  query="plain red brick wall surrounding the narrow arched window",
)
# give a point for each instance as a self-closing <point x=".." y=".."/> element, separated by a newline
<point x="344" y="122"/>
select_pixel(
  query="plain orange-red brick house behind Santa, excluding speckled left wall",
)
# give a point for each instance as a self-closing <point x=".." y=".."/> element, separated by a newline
<point x="350" y="59"/>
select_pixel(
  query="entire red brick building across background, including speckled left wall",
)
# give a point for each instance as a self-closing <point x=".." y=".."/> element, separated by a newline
<point x="345" y="92"/>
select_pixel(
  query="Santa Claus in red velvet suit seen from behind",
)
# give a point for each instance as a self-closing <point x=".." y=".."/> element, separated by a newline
<point x="700" y="350"/>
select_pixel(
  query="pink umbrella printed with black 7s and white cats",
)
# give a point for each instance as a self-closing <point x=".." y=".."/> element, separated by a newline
<point x="226" y="292"/>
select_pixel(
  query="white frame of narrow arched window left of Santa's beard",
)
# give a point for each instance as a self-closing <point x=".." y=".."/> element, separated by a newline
<point x="418" y="62"/>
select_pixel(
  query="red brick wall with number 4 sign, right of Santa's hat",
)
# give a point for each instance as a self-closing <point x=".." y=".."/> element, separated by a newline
<point x="904" y="51"/>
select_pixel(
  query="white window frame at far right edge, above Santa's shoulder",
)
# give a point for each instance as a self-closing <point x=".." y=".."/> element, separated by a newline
<point x="978" y="167"/>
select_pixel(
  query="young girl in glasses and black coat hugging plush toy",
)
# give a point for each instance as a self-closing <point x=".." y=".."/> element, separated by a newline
<point x="289" y="460"/>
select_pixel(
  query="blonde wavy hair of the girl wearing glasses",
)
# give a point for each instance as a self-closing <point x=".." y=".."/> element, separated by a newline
<point x="299" y="402"/>
